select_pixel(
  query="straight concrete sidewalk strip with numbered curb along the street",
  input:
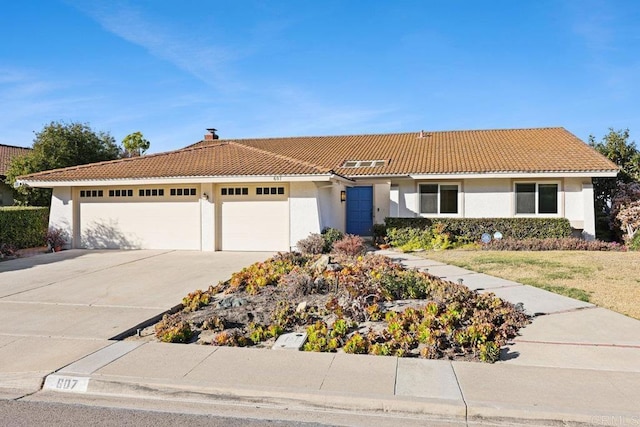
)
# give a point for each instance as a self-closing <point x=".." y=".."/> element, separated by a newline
<point x="455" y="392"/>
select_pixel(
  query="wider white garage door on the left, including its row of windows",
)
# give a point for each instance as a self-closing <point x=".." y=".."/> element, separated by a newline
<point x="134" y="220"/>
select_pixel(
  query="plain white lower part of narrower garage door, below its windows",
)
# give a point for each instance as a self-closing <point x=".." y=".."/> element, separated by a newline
<point x="255" y="225"/>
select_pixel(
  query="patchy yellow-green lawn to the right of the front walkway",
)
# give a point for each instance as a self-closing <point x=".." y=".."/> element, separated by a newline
<point x="607" y="279"/>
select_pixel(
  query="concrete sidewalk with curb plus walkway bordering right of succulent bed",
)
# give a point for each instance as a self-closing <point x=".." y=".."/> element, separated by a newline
<point x="575" y="364"/>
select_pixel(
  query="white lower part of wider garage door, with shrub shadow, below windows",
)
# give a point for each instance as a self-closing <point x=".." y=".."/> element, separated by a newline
<point x="131" y="225"/>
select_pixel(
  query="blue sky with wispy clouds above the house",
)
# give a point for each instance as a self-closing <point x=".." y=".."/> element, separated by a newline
<point x="282" y="68"/>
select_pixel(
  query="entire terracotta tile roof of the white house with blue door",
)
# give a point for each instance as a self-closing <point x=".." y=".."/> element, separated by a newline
<point x="544" y="150"/>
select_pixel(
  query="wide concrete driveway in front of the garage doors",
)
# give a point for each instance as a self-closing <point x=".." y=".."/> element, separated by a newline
<point x="56" y="308"/>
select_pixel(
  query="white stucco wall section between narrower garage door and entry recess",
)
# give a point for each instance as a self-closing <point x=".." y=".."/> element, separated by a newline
<point x="304" y="211"/>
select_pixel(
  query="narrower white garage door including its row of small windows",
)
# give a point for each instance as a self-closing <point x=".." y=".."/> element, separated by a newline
<point x="254" y="218"/>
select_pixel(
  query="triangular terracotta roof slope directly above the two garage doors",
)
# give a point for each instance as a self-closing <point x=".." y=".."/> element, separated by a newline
<point x="216" y="159"/>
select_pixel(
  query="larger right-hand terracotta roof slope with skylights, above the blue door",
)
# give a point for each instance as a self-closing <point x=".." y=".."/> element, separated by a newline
<point x="449" y="152"/>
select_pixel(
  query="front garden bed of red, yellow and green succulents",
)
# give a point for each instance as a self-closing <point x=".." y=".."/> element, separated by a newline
<point x="356" y="304"/>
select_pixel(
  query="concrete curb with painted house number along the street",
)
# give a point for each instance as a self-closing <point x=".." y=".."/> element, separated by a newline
<point x="429" y="409"/>
